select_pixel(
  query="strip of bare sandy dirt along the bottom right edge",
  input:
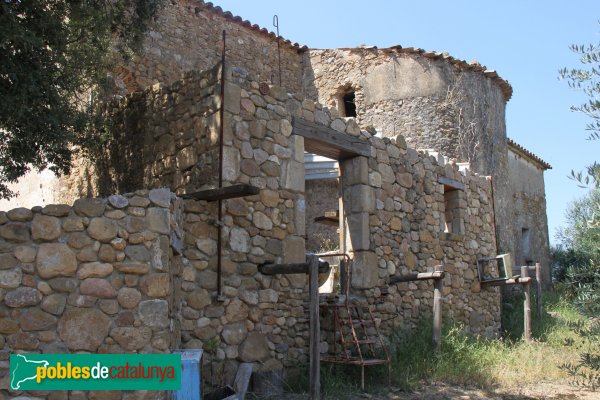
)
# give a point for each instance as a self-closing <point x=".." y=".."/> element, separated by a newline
<point x="445" y="392"/>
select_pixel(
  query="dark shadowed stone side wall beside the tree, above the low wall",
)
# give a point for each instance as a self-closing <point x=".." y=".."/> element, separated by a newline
<point x="164" y="136"/>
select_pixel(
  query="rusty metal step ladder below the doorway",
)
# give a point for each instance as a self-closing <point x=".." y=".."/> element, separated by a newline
<point x="356" y="338"/>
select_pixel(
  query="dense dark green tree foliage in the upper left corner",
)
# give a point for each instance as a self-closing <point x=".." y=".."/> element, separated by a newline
<point x="54" y="57"/>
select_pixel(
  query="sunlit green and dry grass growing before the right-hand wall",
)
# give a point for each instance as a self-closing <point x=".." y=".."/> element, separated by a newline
<point x="465" y="360"/>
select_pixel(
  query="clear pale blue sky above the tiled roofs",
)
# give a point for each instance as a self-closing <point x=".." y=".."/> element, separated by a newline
<point x="526" y="42"/>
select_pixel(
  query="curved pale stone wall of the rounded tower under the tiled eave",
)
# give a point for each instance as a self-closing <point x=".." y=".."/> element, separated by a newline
<point x="433" y="103"/>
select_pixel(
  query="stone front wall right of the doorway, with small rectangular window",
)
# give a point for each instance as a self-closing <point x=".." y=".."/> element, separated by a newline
<point x="394" y="210"/>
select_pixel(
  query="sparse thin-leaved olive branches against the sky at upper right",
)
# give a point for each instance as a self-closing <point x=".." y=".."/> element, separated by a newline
<point x="587" y="80"/>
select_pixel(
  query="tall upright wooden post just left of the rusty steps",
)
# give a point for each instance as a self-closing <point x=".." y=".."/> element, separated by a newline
<point x="315" y="331"/>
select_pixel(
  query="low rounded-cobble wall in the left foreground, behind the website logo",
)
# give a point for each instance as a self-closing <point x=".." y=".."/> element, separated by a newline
<point x="95" y="277"/>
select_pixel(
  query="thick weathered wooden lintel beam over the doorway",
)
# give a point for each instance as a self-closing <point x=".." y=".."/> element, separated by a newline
<point x="322" y="140"/>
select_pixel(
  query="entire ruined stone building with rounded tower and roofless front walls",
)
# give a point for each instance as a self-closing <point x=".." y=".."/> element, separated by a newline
<point x="422" y="174"/>
